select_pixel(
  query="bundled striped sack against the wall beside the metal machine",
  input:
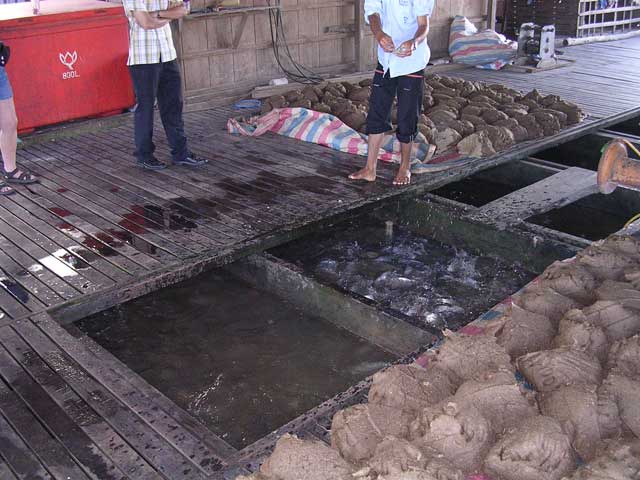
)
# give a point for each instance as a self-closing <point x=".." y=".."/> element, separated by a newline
<point x="486" y="49"/>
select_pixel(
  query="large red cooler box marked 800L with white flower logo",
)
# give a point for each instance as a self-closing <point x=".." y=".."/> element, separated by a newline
<point x="68" y="62"/>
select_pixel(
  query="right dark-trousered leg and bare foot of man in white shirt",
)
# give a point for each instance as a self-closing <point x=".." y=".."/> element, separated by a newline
<point x="410" y="89"/>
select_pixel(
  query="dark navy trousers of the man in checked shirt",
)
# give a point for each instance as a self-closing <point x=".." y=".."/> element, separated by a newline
<point x="161" y="81"/>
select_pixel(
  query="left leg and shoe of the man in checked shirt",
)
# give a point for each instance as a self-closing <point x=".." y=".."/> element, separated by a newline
<point x="145" y="84"/>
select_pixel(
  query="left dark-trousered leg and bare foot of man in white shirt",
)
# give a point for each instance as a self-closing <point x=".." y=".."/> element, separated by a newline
<point x="383" y="92"/>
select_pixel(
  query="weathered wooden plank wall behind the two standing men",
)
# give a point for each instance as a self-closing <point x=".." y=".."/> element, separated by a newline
<point x="320" y="35"/>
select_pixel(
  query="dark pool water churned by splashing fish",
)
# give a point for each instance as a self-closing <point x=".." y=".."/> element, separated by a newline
<point x="437" y="284"/>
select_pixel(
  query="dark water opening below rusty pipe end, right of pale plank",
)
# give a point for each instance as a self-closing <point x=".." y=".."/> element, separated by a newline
<point x="581" y="221"/>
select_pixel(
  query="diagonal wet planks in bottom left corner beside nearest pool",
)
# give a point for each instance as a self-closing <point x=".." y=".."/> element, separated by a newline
<point x="66" y="412"/>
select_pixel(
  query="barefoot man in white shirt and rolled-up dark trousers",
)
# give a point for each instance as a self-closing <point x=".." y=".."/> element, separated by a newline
<point x="400" y="28"/>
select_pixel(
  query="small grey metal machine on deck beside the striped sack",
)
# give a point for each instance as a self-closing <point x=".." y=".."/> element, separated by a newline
<point x="536" y="46"/>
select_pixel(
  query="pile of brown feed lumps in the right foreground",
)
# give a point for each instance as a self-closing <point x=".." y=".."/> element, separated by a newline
<point x="548" y="390"/>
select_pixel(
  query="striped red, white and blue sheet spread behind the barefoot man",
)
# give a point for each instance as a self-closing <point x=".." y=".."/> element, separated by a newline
<point x="328" y="130"/>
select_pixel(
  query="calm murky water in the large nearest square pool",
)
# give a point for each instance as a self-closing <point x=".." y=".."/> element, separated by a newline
<point x="238" y="359"/>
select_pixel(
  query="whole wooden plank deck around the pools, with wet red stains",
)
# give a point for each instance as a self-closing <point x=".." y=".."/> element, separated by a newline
<point x="96" y="231"/>
